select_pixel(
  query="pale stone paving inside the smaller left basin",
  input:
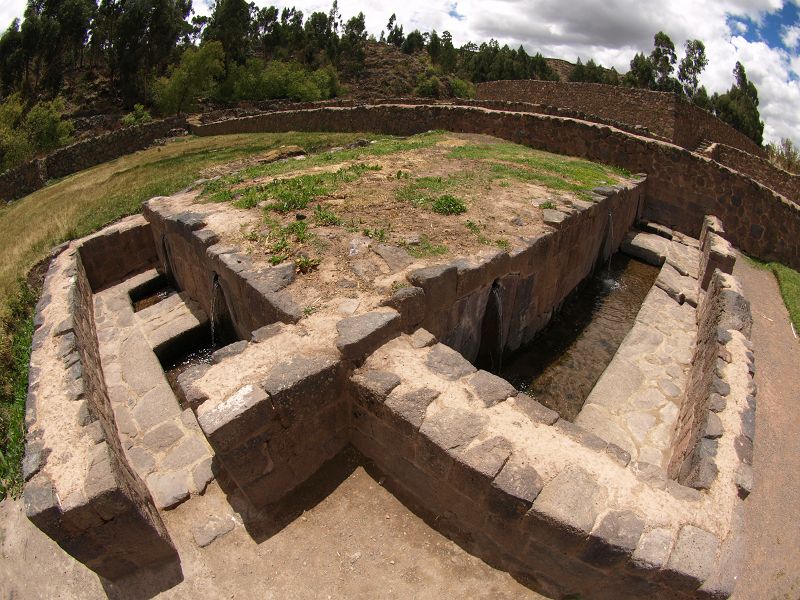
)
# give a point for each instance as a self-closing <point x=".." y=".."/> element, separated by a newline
<point x="163" y="444"/>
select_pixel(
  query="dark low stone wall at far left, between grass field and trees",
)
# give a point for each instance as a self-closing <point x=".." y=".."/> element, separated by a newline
<point x="33" y="175"/>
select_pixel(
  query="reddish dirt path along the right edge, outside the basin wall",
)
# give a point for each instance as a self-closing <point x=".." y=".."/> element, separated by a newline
<point x="772" y="512"/>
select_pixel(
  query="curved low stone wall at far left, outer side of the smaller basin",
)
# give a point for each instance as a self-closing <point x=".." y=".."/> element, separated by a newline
<point x="79" y="487"/>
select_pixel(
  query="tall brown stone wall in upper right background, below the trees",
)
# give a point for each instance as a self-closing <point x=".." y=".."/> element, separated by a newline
<point x="662" y="113"/>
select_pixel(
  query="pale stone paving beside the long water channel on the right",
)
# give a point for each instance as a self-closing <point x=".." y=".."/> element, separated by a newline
<point x="637" y="400"/>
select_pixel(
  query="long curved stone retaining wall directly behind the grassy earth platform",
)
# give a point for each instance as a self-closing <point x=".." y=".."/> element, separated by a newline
<point x="681" y="187"/>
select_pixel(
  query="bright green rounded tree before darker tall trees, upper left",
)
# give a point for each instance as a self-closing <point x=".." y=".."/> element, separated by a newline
<point x="190" y="79"/>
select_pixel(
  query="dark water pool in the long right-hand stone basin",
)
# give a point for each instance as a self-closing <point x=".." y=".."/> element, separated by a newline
<point x="561" y="365"/>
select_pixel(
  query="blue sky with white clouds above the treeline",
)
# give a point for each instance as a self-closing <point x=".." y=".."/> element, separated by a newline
<point x="763" y="34"/>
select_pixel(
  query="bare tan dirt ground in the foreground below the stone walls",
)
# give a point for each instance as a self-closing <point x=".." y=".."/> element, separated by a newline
<point x="353" y="540"/>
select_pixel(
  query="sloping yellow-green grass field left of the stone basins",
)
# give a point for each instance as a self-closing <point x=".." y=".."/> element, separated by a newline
<point x="77" y="205"/>
